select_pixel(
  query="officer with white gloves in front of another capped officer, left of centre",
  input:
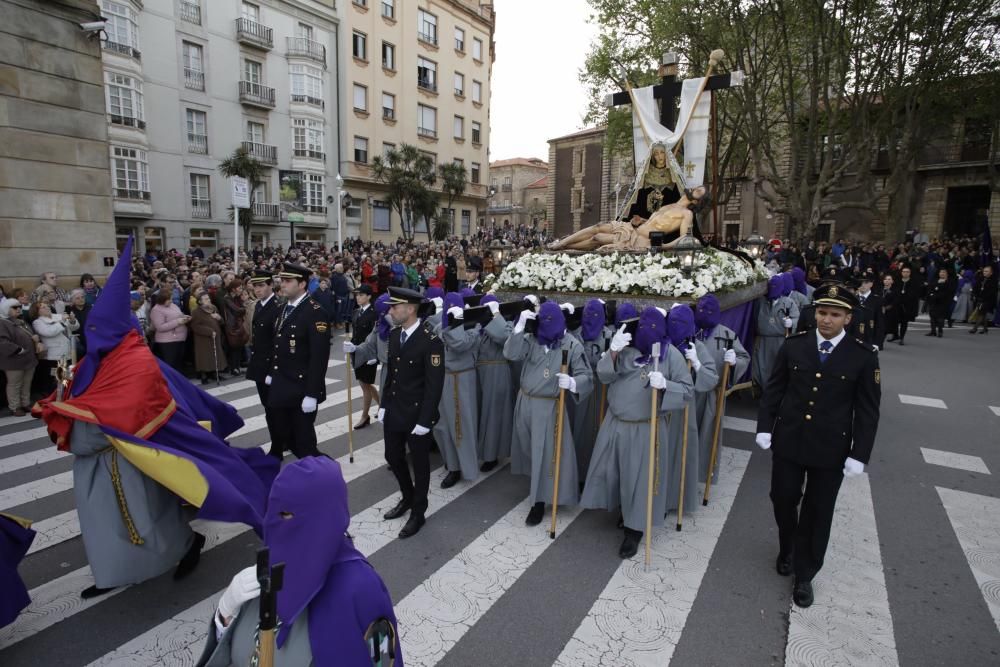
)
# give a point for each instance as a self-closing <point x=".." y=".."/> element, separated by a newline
<point x="297" y="378"/>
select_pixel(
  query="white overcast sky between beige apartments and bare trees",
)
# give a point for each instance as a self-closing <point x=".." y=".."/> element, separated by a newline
<point x="541" y="46"/>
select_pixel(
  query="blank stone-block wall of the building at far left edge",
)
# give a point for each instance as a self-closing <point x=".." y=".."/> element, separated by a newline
<point x="55" y="187"/>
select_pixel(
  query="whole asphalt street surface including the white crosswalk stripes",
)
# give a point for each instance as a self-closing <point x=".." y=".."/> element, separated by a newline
<point x="912" y="576"/>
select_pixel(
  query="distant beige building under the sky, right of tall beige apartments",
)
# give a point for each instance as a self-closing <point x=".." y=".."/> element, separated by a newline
<point x="517" y="198"/>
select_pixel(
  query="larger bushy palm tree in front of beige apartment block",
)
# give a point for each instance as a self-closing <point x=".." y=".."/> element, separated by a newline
<point x="409" y="175"/>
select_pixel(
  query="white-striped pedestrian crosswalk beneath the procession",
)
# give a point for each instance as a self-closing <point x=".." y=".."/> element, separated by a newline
<point x="469" y="568"/>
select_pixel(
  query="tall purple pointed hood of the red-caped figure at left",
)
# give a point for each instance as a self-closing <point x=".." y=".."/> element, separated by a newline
<point x="109" y="320"/>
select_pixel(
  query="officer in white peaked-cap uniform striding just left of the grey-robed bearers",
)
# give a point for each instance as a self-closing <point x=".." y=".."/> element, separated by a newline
<point x="413" y="387"/>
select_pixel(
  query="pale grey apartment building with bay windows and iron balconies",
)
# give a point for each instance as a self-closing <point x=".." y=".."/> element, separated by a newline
<point x="189" y="81"/>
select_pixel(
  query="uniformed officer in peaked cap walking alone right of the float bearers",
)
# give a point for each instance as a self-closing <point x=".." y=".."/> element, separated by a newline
<point x="818" y="415"/>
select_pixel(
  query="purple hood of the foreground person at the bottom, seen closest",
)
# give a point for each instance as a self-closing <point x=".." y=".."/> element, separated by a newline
<point x="308" y="536"/>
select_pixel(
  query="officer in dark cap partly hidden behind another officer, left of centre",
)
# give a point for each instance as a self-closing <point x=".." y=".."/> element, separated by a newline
<point x="265" y="314"/>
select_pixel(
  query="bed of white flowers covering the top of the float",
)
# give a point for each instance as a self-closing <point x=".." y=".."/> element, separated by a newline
<point x="627" y="273"/>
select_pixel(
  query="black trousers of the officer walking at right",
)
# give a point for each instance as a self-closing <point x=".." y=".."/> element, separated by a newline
<point x="803" y="532"/>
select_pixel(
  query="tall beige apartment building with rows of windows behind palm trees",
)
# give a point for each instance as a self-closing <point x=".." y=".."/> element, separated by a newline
<point x="418" y="72"/>
